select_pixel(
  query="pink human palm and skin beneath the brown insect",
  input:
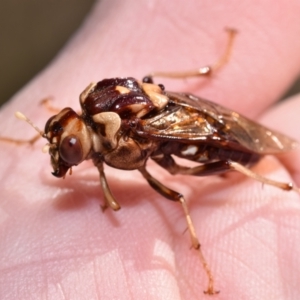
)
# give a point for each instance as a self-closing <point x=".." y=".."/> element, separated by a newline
<point x="56" y="243"/>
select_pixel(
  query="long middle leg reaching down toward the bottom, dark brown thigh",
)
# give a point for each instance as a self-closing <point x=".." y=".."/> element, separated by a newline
<point x="175" y="196"/>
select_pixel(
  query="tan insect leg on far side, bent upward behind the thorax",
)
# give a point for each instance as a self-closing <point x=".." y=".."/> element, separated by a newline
<point x="202" y="71"/>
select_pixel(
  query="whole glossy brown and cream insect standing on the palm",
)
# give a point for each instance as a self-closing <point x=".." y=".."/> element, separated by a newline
<point x="125" y="122"/>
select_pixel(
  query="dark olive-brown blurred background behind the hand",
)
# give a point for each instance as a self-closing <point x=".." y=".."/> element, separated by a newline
<point x="31" y="34"/>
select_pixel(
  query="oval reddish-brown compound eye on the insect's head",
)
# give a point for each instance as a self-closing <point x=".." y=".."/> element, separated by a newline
<point x="70" y="150"/>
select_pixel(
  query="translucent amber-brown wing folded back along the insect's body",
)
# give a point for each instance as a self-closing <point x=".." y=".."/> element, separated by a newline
<point x="197" y="119"/>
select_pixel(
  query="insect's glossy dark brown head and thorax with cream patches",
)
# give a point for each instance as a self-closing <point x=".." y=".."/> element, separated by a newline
<point x="103" y="131"/>
